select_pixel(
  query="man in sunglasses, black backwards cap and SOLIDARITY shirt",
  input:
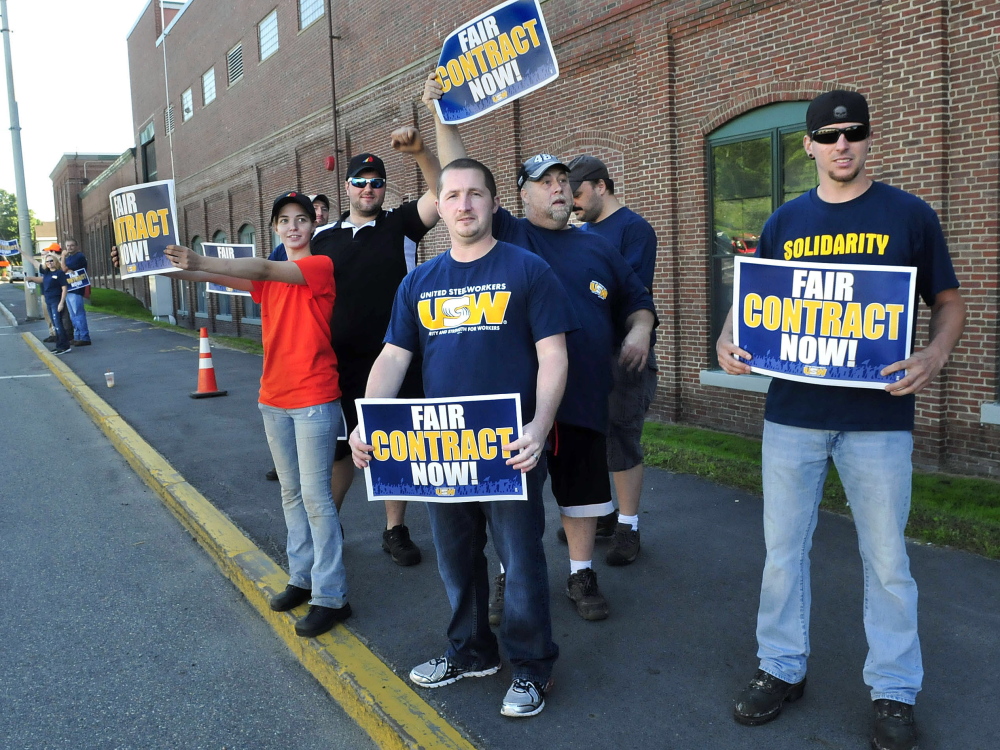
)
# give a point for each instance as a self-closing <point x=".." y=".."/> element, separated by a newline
<point x="866" y="432"/>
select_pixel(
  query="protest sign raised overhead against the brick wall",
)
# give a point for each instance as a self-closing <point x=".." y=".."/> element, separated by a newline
<point x="494" y="59"/>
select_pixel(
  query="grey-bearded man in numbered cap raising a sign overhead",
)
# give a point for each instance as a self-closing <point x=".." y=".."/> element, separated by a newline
<point x="609" y="300"/>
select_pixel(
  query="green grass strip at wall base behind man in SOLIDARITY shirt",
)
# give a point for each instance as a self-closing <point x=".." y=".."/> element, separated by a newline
<point x="956" y="511"/>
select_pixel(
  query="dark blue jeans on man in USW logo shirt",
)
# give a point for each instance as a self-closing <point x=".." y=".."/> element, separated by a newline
<point x="516" y="526"/>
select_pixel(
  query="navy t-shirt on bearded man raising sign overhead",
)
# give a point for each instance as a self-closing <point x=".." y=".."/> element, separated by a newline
<point x="603" y="290"/>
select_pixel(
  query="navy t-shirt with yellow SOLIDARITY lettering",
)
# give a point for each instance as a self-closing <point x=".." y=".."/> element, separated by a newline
<point x="902" y="231"/>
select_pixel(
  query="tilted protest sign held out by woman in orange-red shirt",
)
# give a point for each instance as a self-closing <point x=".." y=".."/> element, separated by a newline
<point x="144" y="218"/>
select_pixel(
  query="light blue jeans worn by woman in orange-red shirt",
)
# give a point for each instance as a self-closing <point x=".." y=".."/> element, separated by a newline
<point x="302" y="443"/>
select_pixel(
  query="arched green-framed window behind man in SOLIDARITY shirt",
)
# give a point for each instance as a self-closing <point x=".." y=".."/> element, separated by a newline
<point x="755" y="164"/>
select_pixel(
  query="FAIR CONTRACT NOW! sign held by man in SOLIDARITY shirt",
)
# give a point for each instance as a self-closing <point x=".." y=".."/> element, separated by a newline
<point x="824" y="323"/>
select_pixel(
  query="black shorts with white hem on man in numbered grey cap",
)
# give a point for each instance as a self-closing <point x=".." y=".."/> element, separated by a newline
<point x="577" y="459"/>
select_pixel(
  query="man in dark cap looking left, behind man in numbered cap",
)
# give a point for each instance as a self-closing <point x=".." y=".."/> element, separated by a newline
<point x="595" y="204"/>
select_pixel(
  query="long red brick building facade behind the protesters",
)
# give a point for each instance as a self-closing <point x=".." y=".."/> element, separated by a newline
<point x="645" y="85"/>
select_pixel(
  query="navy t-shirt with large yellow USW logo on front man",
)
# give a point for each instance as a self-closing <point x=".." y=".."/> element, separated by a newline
<point x="476" y="324"/>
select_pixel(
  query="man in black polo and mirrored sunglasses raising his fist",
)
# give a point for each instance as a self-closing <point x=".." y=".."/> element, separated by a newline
<point x="372" y="250"/>
